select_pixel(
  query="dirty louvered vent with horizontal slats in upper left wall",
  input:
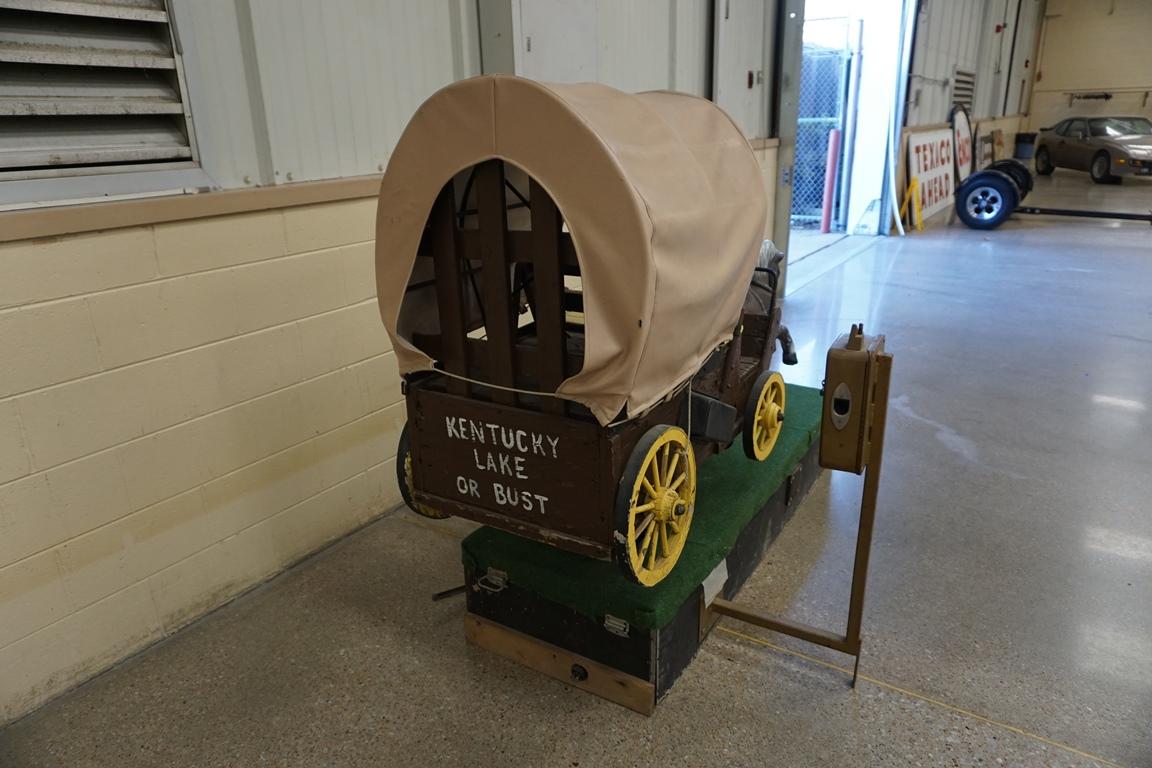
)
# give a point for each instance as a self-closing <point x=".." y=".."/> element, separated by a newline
<point x="90" y="87"/>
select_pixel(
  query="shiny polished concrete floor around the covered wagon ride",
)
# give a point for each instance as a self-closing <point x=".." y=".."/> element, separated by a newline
<point x="1010" y="614"/>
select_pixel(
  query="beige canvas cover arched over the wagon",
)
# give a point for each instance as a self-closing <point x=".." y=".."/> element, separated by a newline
<point x="661" y="192"/>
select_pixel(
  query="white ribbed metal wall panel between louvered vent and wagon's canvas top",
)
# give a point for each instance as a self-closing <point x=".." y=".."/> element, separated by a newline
<point x="342" y="79"/>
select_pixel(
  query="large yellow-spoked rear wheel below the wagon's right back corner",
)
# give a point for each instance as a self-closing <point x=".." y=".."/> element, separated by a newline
<point x="655" y="505"/>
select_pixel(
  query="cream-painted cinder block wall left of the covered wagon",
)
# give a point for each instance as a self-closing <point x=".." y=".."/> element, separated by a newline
<point x="185" y="410"/>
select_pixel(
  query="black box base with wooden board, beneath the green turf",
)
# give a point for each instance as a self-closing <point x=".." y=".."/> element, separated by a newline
<point x="632" y="666"/>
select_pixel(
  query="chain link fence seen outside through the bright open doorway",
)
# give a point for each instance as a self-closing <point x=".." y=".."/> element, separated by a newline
<point x="823" y="92"/>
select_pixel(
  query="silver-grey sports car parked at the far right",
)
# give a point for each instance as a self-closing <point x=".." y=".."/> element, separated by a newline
<point x="1108" y="148"/>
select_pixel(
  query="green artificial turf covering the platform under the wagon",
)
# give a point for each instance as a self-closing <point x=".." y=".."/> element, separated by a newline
<point x="731" y="491"/>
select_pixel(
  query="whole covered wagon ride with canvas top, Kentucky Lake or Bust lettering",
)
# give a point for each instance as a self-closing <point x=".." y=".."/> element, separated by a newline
<point x="573" y="284"/>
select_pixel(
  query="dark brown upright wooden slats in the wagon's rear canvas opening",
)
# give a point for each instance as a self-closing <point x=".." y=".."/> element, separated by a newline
<point x="495" y="267"/>
